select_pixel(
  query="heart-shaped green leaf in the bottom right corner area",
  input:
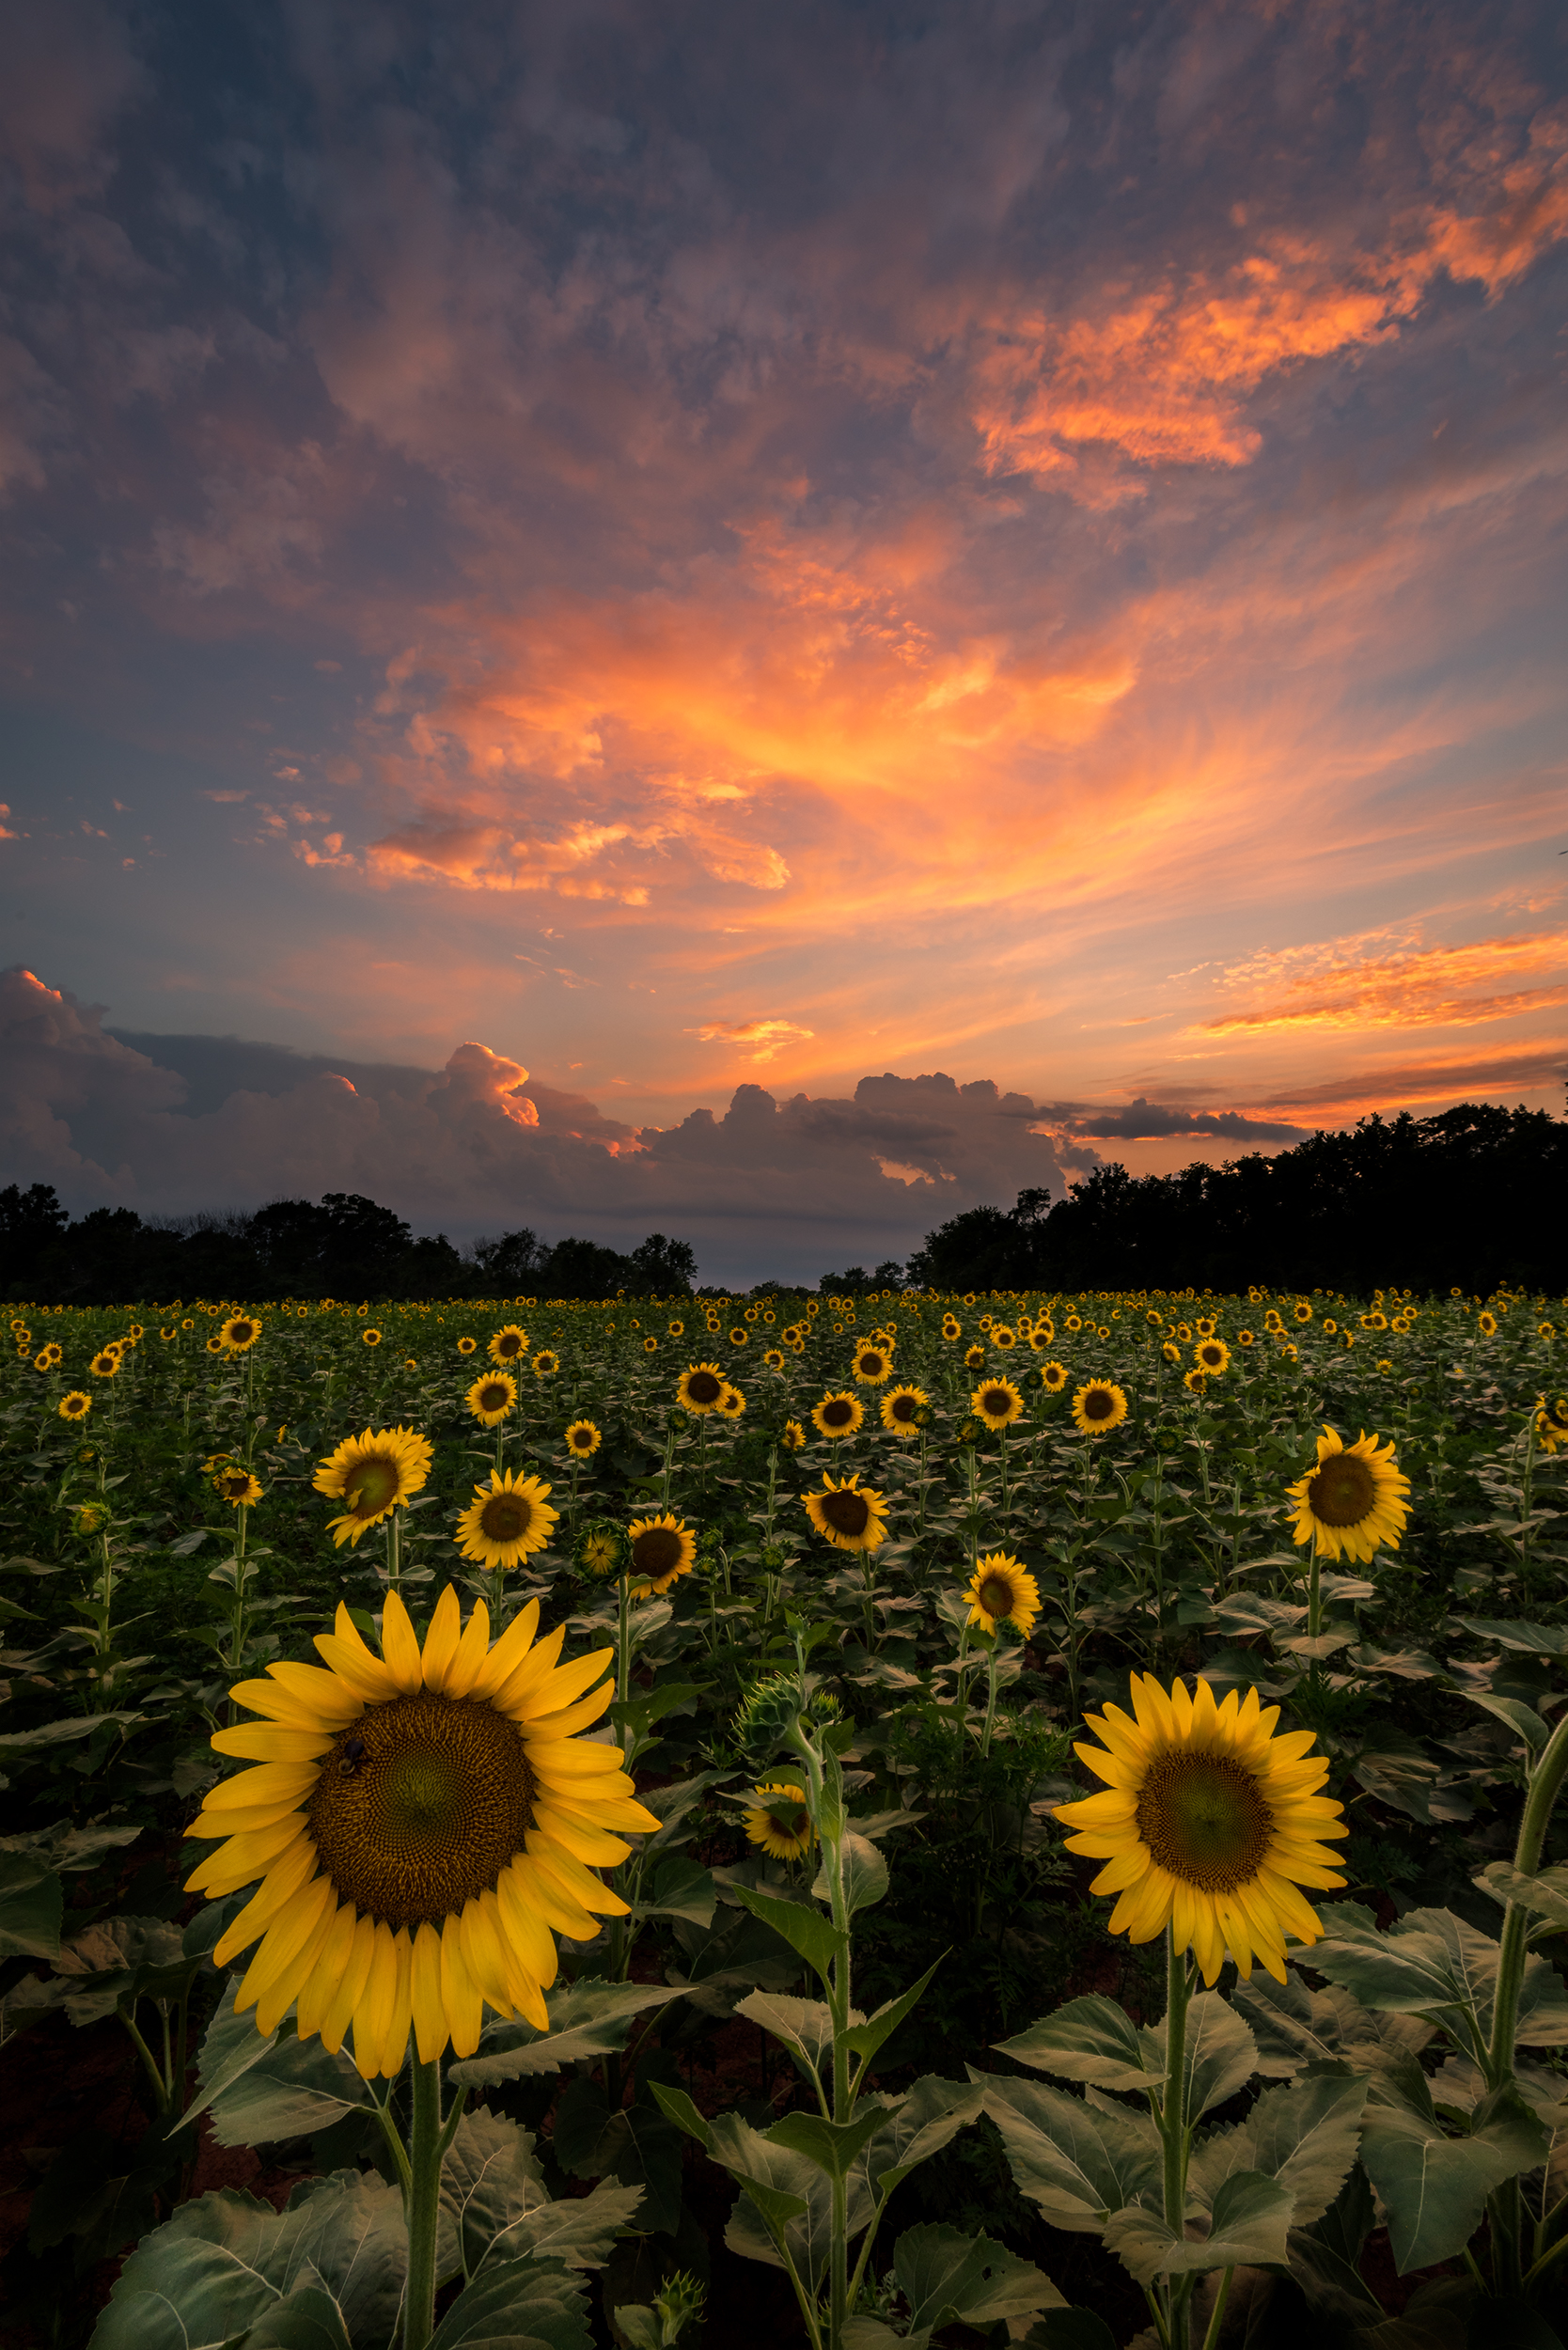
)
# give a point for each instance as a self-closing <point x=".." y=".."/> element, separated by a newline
<point x="1435" y="2187"/>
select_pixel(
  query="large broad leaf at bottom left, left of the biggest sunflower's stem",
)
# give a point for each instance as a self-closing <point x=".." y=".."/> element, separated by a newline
<point x="225" y="2262"/>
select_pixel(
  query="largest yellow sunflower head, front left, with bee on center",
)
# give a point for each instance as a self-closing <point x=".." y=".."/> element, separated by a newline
<point x="422" y="1825"/>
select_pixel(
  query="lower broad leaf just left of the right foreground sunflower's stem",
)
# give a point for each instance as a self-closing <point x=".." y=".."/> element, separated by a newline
<point x="1073" y="2161"/>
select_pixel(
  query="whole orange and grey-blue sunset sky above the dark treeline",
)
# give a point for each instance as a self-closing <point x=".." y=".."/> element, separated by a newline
<point x="702" y="546"/>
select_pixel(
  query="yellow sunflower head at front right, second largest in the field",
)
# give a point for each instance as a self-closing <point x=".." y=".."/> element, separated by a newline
<point x="1209" y="1822"/>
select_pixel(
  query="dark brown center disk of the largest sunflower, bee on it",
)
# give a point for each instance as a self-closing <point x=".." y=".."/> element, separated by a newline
<point x="422" y="1804"/>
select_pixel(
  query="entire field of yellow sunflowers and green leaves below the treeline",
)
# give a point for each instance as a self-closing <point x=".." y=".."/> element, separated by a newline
<point x="831" y="1820"/>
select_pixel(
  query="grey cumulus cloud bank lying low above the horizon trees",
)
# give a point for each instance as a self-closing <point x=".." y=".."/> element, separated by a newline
<point x="768" y="1190"/>
